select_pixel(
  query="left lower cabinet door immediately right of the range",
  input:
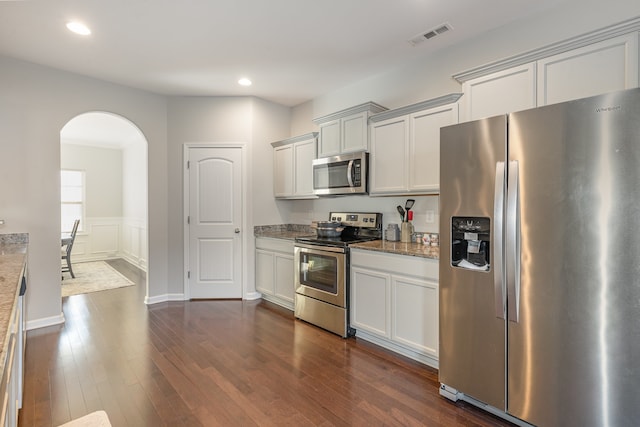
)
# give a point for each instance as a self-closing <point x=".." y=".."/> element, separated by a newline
<point x="370" y="301"/>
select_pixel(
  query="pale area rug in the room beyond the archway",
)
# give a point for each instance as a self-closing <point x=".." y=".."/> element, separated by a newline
<point x="93" y="277"/>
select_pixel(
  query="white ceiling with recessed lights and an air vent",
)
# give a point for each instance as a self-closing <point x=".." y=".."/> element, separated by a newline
<point x="293" y="50"/>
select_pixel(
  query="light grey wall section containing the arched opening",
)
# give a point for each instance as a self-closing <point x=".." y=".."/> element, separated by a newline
<point x="35" y="103"/>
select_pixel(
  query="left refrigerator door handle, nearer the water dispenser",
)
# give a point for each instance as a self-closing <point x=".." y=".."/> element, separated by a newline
<point x="498" y="253"/>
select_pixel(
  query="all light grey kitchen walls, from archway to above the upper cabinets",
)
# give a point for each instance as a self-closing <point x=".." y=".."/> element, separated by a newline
<point x="36" y="102"/>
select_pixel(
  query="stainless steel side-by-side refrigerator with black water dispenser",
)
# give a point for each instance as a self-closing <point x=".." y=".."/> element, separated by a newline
<point x="540" y="262"/>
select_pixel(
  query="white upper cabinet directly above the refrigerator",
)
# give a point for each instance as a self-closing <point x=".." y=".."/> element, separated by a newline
<point x="580" y="67"/>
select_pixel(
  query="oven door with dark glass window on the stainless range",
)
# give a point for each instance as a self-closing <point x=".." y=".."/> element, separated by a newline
<point x="320" y="273"/>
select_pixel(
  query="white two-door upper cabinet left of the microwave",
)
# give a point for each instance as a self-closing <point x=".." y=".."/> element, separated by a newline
<point x="293" y="167"/>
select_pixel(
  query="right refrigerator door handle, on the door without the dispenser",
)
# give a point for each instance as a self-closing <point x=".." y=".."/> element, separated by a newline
<point x="513" y="242"/>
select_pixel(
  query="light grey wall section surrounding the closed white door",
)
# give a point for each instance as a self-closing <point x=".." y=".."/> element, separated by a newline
<point x="219" y="120"/>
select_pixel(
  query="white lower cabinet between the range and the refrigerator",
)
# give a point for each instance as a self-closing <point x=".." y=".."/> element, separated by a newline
<point x="394" y="303"/>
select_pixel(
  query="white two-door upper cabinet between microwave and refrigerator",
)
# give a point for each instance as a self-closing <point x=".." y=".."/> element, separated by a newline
<point x="405" y="147"/>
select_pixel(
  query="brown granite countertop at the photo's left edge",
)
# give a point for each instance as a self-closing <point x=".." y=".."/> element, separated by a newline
<point x="13" y="256"/>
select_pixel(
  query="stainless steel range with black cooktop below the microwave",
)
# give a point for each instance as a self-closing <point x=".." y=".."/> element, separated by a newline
<point x="322" y="271"/>
